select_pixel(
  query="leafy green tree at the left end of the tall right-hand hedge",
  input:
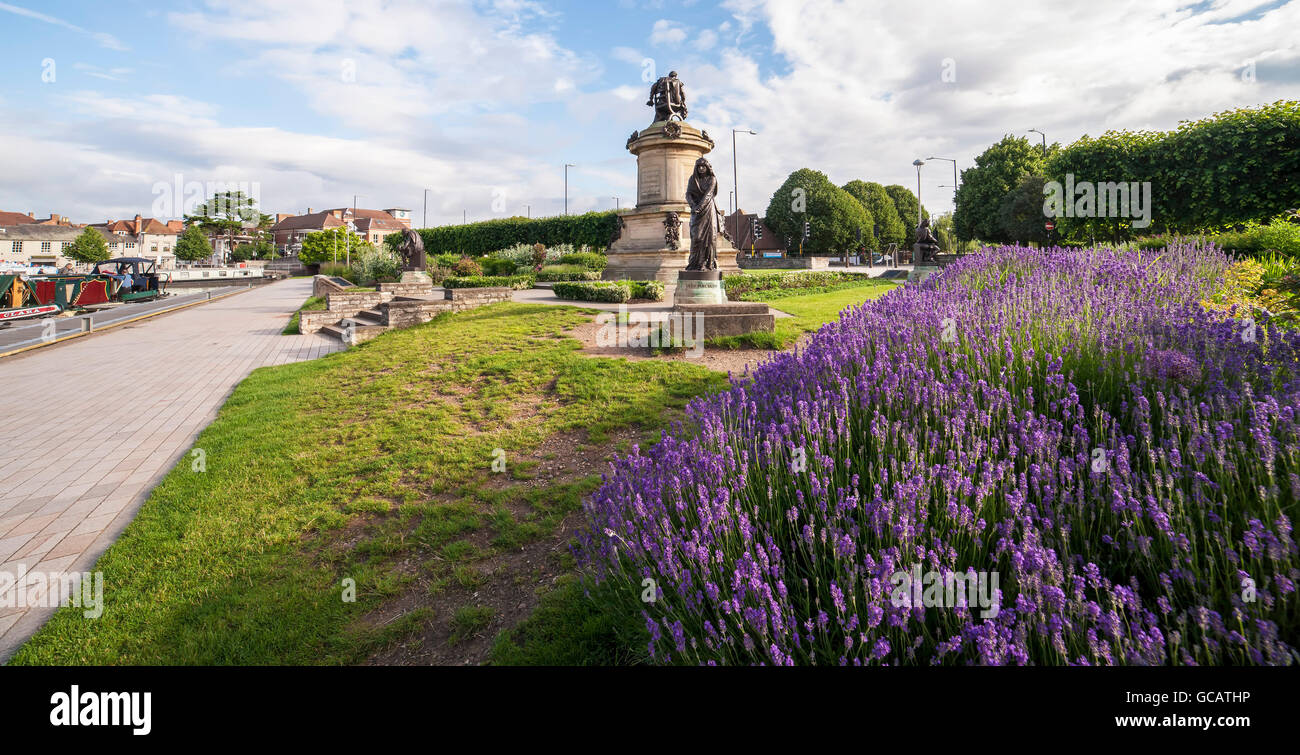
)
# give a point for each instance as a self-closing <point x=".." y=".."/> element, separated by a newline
<point x="998" y="171"/>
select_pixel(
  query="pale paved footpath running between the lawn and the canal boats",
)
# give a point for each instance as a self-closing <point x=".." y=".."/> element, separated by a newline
<point x="92" y="426"/>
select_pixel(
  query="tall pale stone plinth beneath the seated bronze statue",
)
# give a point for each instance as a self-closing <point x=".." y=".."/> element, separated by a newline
<point x="666" y="157"/>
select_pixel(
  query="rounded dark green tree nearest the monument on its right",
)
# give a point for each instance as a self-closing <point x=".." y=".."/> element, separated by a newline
<point x="835" y="215"/>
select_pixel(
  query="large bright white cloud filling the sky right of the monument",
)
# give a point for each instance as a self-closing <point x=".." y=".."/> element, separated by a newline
<point x="866" y="105"/>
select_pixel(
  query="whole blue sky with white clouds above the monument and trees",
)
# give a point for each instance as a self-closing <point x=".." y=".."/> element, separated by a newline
<point x="483" y="103"/>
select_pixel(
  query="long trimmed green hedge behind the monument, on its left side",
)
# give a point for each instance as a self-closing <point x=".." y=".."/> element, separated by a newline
<point x="595" y="229"/>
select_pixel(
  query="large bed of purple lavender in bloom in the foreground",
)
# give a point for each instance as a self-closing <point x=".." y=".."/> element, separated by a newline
<point x="1116" y="462"/>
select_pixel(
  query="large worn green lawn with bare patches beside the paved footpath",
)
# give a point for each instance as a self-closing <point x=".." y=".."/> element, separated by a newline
<point x="372" y="465"/>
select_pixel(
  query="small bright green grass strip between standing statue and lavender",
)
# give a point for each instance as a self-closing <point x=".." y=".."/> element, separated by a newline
<point x="811" y="311"/>
